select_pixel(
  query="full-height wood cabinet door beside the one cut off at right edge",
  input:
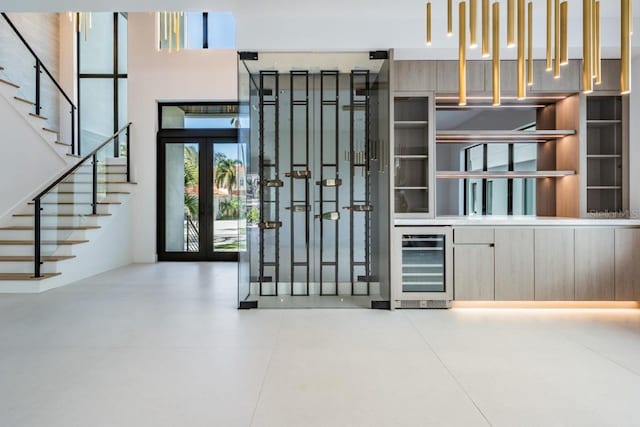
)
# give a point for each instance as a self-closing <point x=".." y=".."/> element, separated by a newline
<point x="594" y="264"/>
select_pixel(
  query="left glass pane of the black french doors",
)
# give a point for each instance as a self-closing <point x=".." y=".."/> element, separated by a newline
<point x="182" y="197"/>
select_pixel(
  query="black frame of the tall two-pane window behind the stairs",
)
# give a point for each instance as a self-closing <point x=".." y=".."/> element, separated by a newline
<point x="115" y="76"/>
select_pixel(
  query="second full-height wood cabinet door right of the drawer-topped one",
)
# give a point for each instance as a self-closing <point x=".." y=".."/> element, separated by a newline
<point x="554" y="264"/>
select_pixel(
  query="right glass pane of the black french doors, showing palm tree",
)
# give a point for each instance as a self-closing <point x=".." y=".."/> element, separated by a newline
<point x="229" y="191"/>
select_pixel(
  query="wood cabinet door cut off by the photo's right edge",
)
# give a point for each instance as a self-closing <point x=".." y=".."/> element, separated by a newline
<point x="627" y="264"/>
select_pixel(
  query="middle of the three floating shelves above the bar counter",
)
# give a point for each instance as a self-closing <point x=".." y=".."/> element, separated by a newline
<point x="504" y="136"/>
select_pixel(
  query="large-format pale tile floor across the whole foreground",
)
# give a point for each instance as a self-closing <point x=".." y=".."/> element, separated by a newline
<point x="163" y="345"/>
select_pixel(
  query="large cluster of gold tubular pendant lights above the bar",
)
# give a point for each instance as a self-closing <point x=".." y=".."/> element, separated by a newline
<point x="520" y="35"/>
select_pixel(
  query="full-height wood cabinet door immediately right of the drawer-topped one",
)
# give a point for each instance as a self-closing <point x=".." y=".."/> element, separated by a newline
<point x="514" y="264"/>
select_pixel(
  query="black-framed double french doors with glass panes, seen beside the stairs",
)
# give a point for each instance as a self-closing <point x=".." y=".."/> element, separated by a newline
<point x="201" y="191"/>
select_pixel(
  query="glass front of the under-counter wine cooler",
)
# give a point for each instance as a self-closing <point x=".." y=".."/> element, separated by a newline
<point x="423" y="263"/>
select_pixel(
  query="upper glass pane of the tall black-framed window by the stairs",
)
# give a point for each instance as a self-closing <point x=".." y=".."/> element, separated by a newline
<point x="96" y="50"/>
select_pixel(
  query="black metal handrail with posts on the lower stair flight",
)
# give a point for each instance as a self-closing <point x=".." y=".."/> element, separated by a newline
<point x="94" y="193"/>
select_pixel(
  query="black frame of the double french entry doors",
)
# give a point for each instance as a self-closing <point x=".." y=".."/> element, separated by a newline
<point x="205" y="137"/>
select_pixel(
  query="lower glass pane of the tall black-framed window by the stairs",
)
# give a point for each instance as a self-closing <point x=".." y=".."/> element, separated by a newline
<point x="96" y="100"/>
